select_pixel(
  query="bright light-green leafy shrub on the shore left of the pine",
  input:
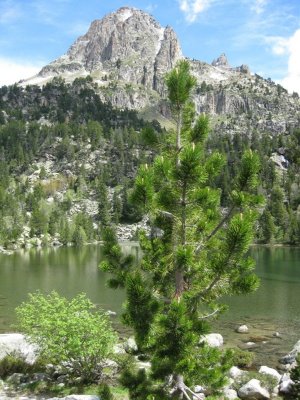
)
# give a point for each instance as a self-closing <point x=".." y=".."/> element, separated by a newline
<point x="68" y="331"/>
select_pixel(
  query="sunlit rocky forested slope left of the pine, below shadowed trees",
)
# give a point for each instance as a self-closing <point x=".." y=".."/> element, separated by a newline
<point x="40" y="206"/>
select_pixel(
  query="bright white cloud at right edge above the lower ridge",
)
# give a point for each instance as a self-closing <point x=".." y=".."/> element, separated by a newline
<point x="292" y="80"/>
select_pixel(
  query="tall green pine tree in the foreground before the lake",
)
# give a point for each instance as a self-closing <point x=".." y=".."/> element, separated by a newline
<point x="194" y="254"/>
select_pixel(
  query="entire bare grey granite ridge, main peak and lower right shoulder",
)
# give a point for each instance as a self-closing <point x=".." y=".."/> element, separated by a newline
<point x="127" y="53"/>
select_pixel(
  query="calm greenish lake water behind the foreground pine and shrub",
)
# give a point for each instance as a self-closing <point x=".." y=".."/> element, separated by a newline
<point x="275" y="307"/>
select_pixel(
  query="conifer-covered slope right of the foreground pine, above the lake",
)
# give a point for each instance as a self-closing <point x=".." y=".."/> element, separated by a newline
<point x="280" y="184"/>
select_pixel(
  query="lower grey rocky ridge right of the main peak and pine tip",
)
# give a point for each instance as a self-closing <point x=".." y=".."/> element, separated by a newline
<point x="242" y="102"/>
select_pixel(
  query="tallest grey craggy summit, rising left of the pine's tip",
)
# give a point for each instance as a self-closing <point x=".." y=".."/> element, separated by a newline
<point x="127" y="44"/>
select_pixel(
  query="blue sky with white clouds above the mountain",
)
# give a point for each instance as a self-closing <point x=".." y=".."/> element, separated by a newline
<point x="264" y="34"/>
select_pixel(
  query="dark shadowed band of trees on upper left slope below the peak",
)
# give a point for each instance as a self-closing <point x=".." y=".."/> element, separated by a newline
<point x="58" y="101"/>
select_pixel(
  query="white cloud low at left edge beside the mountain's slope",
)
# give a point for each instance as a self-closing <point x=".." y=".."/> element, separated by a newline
<point x="13" y="71"/>
